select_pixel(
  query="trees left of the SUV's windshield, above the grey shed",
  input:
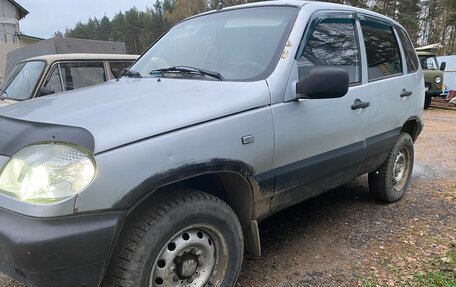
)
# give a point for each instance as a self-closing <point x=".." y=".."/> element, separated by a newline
<point x="139" y="29"/>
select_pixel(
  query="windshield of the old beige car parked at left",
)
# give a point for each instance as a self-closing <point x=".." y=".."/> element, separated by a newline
<point x="22" y="80"/>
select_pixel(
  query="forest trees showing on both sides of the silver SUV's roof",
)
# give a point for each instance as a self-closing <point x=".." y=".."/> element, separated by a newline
<point x="427" y="21"/>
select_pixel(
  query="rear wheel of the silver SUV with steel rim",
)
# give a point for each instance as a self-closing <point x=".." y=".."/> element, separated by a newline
<point x="390" y="181"/>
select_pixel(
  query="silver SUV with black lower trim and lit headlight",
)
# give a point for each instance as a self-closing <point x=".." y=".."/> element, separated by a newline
<point x="160" y="178"/>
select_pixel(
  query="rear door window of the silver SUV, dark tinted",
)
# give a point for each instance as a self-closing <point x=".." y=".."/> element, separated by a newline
<point x="383" y="56"/>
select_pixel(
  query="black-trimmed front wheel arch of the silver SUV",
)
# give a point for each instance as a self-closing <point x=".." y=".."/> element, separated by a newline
<point x="230" y="180"/>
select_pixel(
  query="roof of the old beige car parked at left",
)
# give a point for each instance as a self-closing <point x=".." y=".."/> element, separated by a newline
<point x="81" y="56"/>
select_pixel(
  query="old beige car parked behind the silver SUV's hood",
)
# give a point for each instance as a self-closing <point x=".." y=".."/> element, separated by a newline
<point x="49" y="74"/>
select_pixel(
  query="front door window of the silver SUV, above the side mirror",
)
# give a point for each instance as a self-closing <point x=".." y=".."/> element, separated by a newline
<point x="332" y="42"/>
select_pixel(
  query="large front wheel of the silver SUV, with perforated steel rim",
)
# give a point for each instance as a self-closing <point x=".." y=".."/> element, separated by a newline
<point x="179" y="241"/>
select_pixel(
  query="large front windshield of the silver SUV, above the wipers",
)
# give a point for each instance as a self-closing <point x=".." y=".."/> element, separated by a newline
<point x="242" y="44"/>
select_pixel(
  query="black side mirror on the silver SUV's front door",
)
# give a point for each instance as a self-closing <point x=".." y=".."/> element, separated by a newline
<point x="323" y="83"/>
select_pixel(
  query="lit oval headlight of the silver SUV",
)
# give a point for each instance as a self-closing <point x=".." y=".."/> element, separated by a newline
<point x="47" y="172"/>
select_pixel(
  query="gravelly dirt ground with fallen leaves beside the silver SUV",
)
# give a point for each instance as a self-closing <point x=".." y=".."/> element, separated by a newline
<point x="345" y="238"/>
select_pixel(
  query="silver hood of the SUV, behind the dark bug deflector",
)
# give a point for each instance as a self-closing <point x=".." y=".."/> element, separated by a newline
<point x="124" y="111"/>
